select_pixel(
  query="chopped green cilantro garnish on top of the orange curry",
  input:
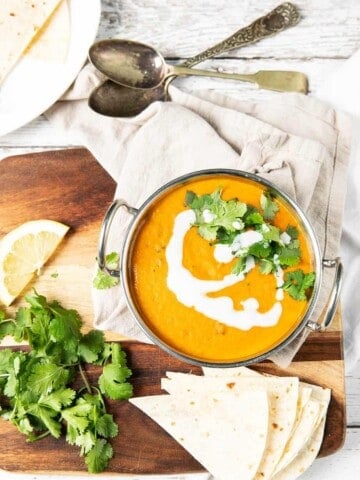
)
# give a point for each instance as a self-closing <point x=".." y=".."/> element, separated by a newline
<point x="221" y="221"/>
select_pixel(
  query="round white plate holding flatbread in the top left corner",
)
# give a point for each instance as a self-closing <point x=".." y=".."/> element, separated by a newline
<point x="34" y="85"/>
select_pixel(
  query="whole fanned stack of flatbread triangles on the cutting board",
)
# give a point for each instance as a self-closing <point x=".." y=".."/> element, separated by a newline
<point x="241" y="425"/>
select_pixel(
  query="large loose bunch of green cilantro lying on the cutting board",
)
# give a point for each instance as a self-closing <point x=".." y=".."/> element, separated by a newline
<point x="37" y="385"/>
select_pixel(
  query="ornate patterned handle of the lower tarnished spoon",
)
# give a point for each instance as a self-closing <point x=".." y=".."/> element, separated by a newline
<point x="284" y="16"/>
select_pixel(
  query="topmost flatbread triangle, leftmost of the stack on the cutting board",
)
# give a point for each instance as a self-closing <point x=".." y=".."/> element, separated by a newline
<point x="226" y="433"/>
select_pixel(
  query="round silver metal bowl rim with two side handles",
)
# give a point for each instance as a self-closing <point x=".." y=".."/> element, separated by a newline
<point x="139" y="215"/>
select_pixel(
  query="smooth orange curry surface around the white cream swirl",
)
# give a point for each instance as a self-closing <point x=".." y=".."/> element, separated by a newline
<point x="183" y="328"/>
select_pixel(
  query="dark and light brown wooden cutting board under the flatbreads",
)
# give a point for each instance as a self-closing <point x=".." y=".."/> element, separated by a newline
<point x="71" y="187"/>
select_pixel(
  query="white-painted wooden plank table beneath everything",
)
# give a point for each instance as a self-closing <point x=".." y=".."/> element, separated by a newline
<point x="328" y="33"/>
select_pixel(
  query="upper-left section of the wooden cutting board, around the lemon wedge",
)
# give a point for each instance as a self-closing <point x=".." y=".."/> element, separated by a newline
<point x="68" y="186"/>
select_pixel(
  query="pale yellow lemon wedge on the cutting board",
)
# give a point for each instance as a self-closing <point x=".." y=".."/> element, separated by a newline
<point x="23" y="252"/>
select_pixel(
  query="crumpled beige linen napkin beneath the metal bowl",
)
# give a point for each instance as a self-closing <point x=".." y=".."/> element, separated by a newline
<point x="298" y="143"/>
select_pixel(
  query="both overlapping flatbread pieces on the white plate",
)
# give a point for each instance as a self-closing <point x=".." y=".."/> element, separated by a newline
<point x="36" y="27"/>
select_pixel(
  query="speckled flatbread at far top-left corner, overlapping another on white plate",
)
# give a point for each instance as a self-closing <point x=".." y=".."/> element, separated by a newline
<point x="21" y="21"/>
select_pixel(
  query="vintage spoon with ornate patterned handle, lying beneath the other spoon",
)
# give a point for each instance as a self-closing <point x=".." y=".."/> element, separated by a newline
<point x="116" y="100"/>
